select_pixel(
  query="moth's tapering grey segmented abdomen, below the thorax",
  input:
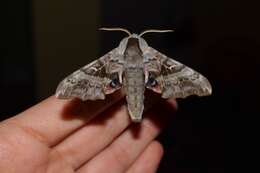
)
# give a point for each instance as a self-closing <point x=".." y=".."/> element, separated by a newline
<point x="134" y="86"/>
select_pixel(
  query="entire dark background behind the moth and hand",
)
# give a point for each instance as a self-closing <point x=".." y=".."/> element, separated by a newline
<point x="44" y="41"/>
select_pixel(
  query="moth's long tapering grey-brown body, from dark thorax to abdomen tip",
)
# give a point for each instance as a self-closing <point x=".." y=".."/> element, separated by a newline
<point x="134" y="79"/>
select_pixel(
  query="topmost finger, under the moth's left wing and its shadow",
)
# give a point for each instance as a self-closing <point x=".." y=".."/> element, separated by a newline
<point x="53" y="119"/>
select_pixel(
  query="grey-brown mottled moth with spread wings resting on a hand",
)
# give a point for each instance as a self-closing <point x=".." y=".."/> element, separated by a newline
<point x="133" y="66"/>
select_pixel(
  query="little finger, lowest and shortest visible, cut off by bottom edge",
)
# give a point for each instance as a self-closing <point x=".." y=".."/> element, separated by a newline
<point x="149" y="160"/>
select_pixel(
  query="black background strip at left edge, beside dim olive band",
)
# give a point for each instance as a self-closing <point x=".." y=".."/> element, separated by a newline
<point x="17" y="78"/>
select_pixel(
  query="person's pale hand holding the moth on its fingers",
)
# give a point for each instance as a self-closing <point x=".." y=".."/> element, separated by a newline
<point x="73" y="136"/>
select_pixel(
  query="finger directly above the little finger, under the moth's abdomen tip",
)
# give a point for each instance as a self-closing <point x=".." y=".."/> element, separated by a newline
<point x="119" y="155"/>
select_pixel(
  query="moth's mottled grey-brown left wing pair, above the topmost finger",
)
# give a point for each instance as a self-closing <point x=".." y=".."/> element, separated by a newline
<point x="94" y="80"/>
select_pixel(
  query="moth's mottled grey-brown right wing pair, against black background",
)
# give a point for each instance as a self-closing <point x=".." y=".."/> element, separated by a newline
<point x="172" y="78"/>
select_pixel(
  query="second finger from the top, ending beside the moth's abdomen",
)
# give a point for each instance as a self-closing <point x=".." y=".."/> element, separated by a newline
<point x="88" y="141"/>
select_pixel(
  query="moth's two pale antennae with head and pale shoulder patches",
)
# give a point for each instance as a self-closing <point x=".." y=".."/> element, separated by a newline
<point x="142" y="43"/>
